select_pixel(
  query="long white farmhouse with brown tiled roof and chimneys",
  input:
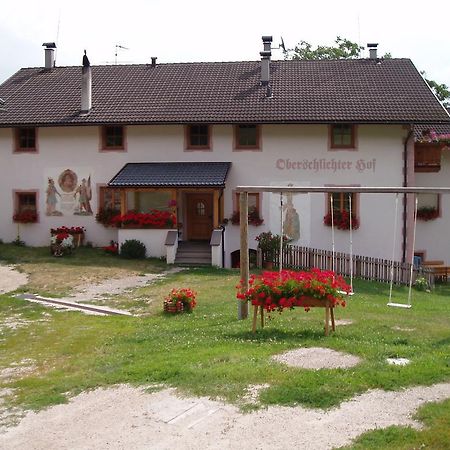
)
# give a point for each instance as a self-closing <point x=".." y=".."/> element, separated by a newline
<point x="179" y="138"/>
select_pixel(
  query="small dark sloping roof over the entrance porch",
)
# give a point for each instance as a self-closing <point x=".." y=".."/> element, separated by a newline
<point x="172" y="174"/>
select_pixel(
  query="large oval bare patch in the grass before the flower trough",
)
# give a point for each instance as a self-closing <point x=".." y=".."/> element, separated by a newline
<point x="317" y="358"/>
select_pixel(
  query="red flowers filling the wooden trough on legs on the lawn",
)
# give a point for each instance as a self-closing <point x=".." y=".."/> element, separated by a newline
<point x="275" y="291"/>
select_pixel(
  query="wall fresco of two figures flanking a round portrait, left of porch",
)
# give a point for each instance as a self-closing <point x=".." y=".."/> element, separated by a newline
<point x="69" y="192"/>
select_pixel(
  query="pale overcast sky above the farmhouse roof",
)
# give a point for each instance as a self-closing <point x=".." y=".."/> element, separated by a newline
<point x="207" y="30"/>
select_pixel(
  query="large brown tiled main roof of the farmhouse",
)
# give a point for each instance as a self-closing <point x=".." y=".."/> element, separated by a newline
<point x="364" y="91"/>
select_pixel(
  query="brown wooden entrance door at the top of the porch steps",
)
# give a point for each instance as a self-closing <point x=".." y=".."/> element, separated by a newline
<point x="200" y="216"/>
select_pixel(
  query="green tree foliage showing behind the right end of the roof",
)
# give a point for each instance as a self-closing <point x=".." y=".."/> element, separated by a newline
<point x="346" y="49"/>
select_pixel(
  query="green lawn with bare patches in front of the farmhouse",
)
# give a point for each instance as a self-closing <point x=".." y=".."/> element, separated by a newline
<point x="210" y="352"/>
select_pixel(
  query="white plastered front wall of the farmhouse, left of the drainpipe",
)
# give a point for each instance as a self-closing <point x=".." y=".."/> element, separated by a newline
<point x="72" y="147"/>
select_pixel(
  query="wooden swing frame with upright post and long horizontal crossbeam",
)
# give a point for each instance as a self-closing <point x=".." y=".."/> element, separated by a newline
<point x="243" y="204"/>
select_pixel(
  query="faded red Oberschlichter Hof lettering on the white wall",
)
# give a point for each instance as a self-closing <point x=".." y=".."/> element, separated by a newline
<point x="327" y="165"/>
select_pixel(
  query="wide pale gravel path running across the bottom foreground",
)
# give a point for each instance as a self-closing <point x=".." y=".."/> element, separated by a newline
<point x="125" y="417"/>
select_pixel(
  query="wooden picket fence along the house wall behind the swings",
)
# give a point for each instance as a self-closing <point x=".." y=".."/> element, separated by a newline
<point x="367" y="268"/>
